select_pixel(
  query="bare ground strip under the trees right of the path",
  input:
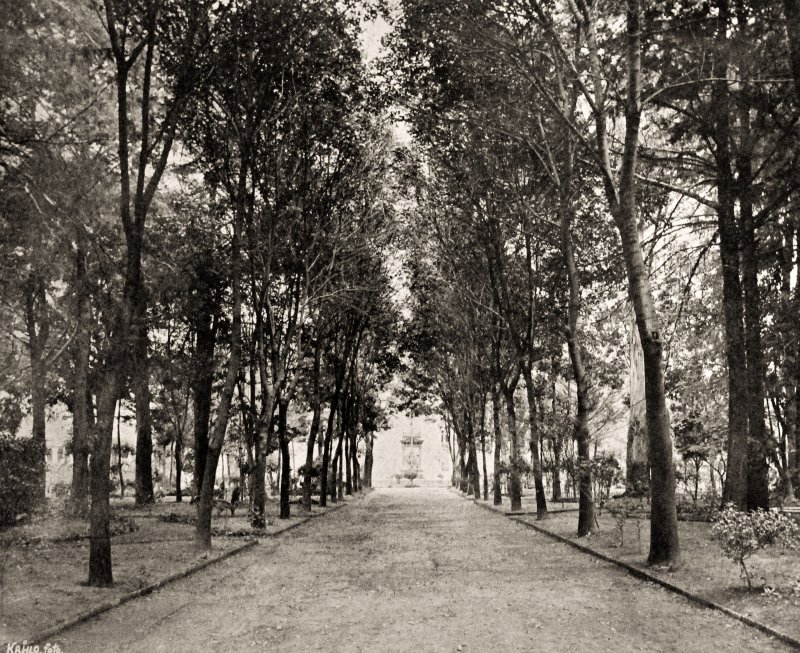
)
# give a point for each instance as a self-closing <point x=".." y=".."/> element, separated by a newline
<point x="704" y="571"/>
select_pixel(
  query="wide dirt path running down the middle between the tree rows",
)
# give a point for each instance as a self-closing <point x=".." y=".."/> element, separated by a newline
<point x="413" y="570"/>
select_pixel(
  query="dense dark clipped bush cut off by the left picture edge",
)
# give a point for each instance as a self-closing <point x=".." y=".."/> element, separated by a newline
<point x="21" y="469"/>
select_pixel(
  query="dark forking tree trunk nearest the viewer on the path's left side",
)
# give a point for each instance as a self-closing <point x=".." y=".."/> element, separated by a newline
<point x="135" y="198"/>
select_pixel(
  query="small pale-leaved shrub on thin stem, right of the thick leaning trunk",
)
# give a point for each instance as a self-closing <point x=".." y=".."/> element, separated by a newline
<point x="741" y="534"/>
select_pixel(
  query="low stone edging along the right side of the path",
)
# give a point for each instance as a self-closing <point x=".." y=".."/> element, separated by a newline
<point x="645" y="576"/>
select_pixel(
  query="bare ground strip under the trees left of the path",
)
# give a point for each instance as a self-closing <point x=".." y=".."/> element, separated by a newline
<point x="44" y="562"/>
